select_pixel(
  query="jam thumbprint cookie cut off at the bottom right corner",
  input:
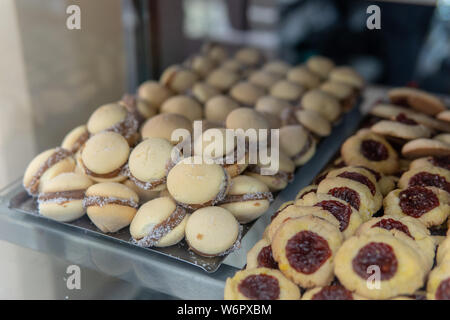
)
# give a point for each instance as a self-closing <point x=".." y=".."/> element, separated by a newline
<point x="438" y="286"/>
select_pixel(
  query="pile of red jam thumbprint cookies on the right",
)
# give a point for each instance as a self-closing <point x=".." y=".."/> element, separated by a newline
<point x="374" y="224"/>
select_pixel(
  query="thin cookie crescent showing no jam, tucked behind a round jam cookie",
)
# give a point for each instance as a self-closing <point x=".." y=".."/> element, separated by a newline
<point x="297" y="211"/>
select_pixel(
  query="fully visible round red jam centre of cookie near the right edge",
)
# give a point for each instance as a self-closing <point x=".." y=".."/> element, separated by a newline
<point x="416" y="201"/>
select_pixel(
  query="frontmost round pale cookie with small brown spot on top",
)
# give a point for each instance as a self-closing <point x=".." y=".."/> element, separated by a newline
<point x="212" y="231"/>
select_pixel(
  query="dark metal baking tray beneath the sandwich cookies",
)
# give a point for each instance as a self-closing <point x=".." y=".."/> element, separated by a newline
<point x="22" y="203"/>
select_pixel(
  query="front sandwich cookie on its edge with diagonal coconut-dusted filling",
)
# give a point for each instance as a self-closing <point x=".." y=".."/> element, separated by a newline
<point x="159" y="223"/>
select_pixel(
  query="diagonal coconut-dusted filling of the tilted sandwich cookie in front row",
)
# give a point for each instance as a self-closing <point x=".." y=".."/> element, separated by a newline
<point x="162" y="229"/>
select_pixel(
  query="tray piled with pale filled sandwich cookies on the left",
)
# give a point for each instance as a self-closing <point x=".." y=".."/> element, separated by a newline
<point x="116" y="176"/>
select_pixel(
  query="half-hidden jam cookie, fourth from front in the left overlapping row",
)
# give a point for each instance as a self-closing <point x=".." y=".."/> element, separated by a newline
<point x="354" y="193"/>
